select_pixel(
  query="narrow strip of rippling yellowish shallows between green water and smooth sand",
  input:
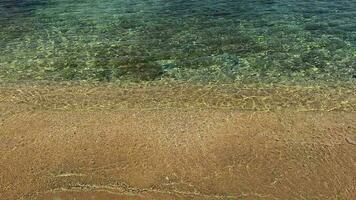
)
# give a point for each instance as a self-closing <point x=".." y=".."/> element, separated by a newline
<point x="166" y="96"/>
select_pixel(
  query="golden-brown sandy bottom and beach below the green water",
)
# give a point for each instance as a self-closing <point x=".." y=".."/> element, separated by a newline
<point x="55" y="149"/>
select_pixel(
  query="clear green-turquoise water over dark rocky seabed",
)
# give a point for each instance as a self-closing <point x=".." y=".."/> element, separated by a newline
<point x="183" y="40"/>
